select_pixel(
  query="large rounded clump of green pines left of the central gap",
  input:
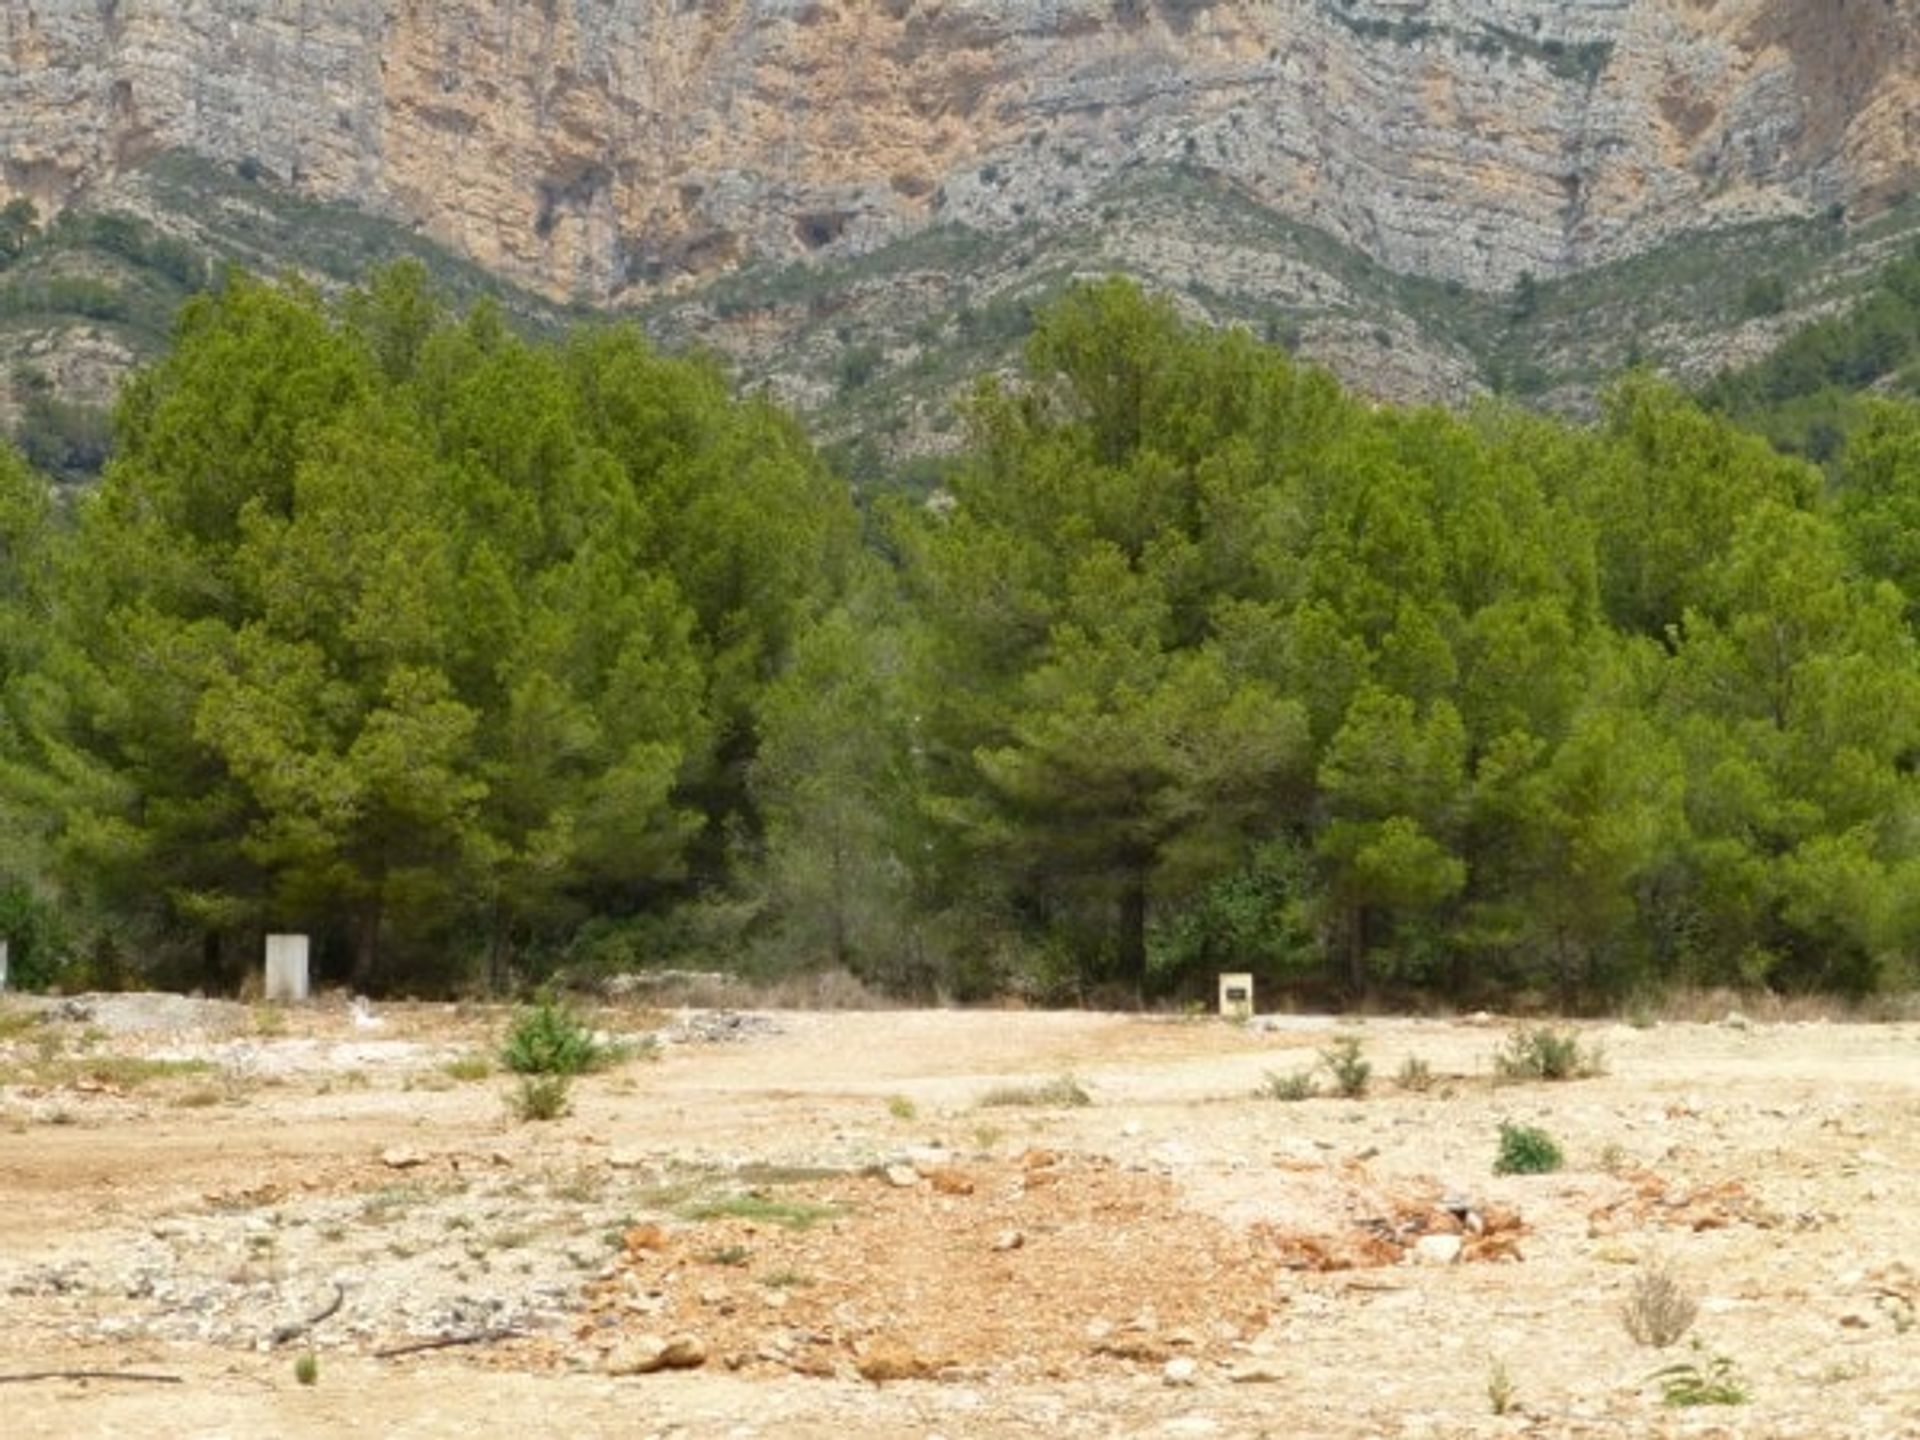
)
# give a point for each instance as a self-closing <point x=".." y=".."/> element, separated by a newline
<point x="402" y="631"/>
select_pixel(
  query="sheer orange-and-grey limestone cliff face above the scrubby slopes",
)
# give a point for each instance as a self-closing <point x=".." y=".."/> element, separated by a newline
<point x="615" y="149"/>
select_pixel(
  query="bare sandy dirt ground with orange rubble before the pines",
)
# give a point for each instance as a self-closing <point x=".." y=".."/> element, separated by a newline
<point x="898" y="1224"/>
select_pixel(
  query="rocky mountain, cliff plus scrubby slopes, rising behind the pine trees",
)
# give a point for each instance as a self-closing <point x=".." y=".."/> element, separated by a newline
<point x="1303" y="166"/>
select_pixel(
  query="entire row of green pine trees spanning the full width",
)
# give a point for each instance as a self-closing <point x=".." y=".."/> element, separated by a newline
<point x="477" y="656"/>
